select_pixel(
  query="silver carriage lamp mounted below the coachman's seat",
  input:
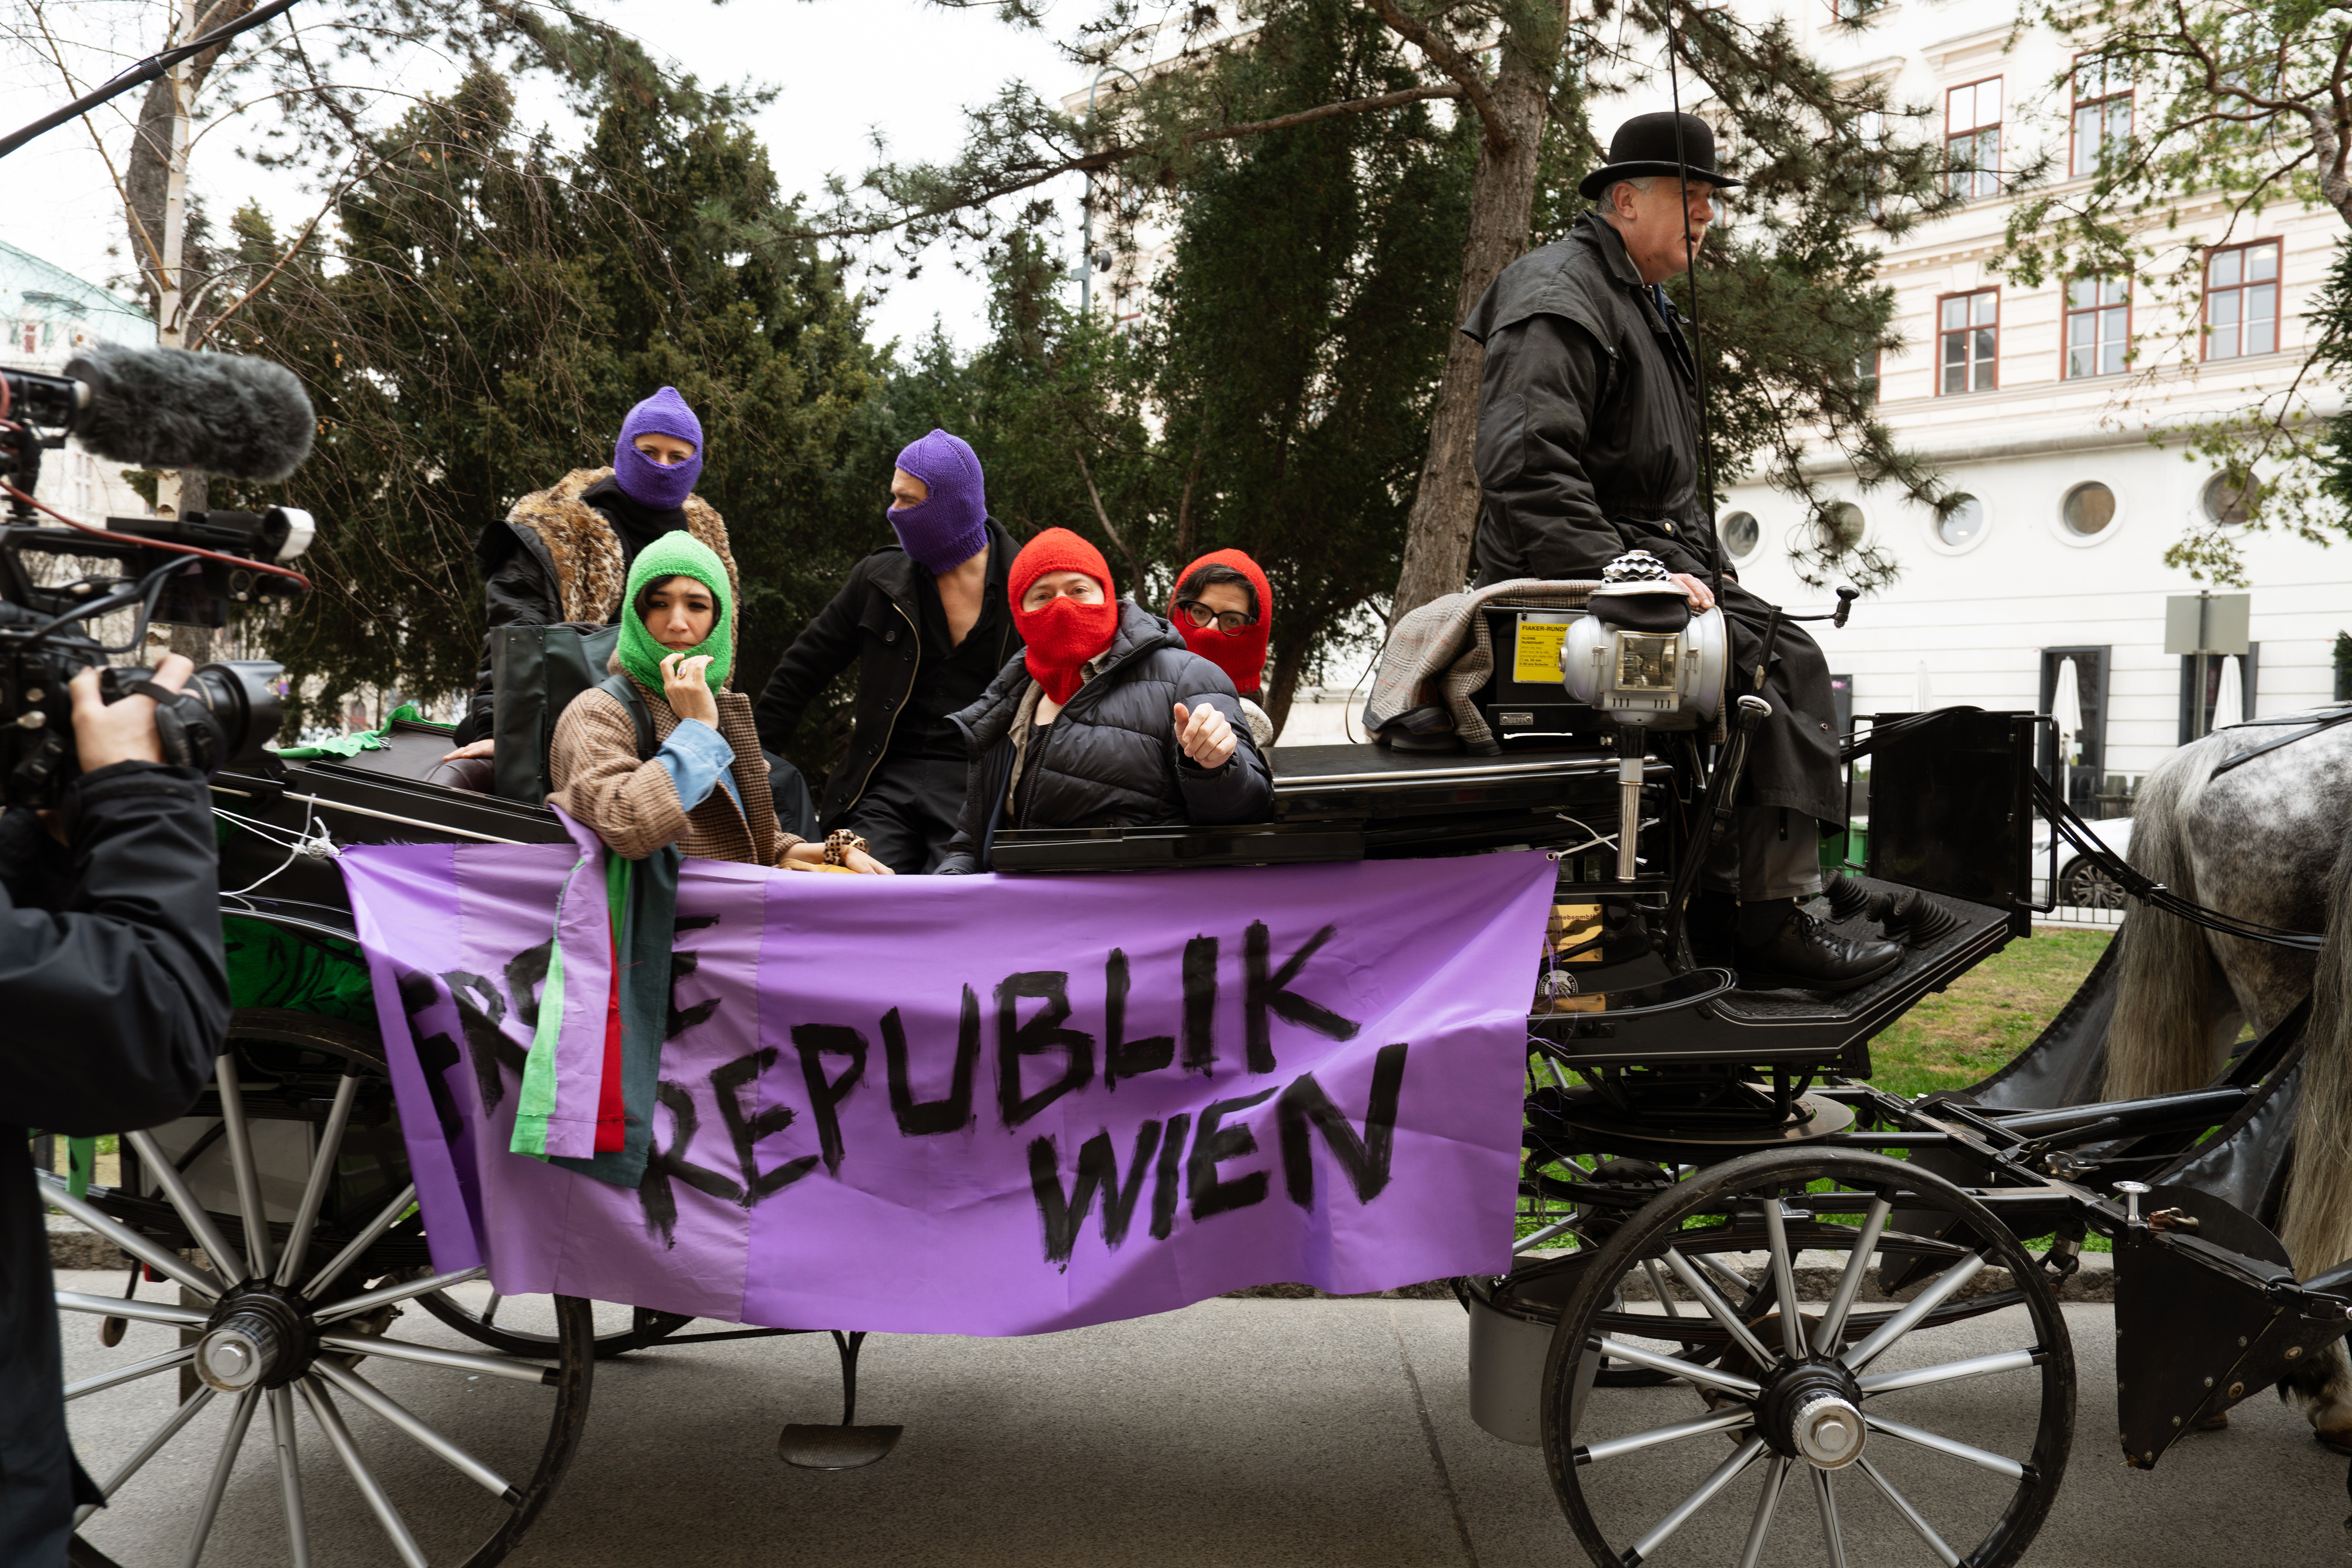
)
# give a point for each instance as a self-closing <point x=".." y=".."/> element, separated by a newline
<point x="1648" y="662"/>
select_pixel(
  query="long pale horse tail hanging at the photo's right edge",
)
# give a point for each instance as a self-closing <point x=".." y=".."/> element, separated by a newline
<point x="2318" y="1226"/>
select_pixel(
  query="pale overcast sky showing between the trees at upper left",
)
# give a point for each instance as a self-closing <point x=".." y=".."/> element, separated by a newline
<point x="846" y="69"/>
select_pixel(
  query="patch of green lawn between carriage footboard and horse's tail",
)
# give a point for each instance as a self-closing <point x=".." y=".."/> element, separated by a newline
<point x="1989" y="1017"/>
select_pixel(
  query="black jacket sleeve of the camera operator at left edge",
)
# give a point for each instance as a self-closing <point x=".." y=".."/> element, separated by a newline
<point x="116" y="996"/>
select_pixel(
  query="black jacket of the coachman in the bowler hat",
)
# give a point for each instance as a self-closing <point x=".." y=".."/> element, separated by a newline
<point x="1589" y="417"/>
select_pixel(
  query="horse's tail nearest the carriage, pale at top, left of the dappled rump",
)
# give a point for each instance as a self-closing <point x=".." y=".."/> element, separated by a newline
<point x="2163" y="991"/>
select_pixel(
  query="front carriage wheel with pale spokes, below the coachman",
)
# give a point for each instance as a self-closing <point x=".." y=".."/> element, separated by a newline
<point x="1944" y="1419"/>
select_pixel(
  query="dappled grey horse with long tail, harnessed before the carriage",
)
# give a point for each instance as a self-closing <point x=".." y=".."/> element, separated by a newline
<point x="2269" y="840"/>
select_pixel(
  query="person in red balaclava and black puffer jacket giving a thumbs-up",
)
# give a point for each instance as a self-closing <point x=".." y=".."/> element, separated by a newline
<point x="1104" y="721"/>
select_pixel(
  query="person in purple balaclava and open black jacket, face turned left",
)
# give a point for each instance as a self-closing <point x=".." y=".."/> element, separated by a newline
<point x="928" y="624"/>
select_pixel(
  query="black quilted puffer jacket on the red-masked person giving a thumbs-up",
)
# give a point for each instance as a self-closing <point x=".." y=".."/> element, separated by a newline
<point x="1111" y="758"/>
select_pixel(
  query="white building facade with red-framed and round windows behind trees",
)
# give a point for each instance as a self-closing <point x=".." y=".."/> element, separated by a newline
<point x="2026" y="403"/>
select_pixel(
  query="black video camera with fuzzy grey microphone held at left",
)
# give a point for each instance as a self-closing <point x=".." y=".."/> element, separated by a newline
<point x="159" y="408"/>
